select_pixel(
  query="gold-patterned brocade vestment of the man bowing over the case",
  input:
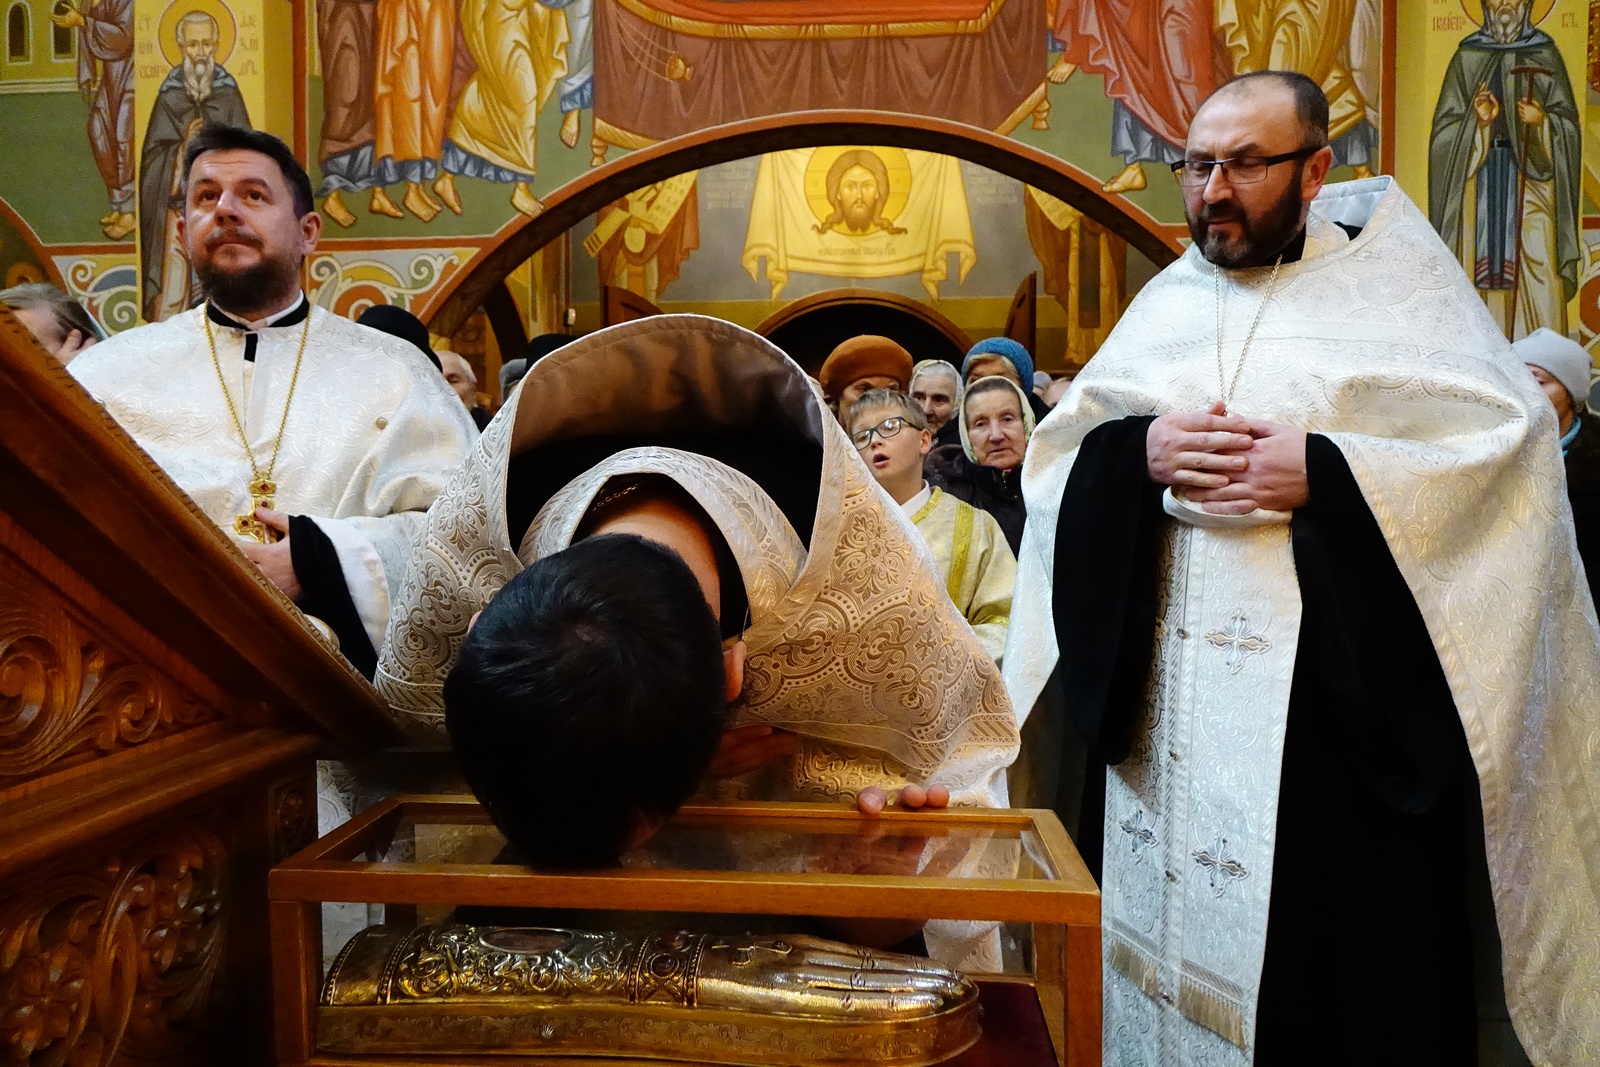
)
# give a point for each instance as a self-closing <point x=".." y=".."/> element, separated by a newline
<point x="854" y="644"/>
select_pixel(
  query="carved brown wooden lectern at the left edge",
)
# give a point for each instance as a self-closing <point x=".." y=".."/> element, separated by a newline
<point x="161" y="711"/>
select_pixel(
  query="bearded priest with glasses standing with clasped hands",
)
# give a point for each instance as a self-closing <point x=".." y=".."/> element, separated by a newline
<point x="1332" y="639"/>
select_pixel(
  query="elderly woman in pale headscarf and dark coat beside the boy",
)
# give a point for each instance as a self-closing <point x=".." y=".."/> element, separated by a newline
<point x="986" y="470"/>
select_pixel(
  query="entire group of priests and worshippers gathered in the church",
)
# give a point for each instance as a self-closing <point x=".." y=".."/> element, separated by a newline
<point x="1294" y="581"/>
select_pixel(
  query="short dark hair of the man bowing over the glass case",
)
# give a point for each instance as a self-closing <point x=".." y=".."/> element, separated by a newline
<point x="590" y="700"/>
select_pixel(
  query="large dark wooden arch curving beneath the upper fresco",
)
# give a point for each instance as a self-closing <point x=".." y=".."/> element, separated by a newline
<point x="482" y="282"/>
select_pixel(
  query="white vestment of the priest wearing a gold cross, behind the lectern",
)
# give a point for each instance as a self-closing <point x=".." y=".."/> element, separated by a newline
<point x="370" y="439"/>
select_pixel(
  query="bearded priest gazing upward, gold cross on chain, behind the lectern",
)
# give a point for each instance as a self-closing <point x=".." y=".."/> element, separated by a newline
<point x="318" y="442"/>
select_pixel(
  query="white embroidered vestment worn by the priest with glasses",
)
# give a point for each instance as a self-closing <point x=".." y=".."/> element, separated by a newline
<point x="1380" y="345"/>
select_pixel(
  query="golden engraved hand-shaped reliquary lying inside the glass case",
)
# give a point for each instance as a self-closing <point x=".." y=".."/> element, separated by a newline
<point x="668" y="996"/>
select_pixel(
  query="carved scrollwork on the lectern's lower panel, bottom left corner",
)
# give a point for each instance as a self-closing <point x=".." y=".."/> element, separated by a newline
<point x="119" y="957"/>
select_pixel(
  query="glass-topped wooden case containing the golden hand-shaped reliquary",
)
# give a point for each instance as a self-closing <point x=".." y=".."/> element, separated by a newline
<point x="727" y="940"/>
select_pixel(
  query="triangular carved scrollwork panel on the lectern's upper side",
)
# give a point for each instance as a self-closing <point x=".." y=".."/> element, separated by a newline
<point x="65" y="693"/>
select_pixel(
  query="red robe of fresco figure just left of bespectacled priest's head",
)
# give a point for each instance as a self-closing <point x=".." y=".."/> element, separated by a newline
<point x="1156" y="55"/>
